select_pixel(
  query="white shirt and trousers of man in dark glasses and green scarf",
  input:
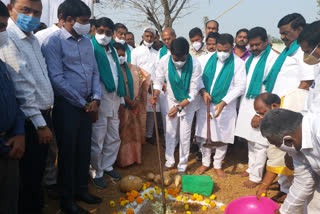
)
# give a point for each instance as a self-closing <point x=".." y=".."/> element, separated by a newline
<point x="105" y="131"/>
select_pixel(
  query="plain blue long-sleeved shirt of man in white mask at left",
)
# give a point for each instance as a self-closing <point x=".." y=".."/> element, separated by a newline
<point x="72" y="67"/>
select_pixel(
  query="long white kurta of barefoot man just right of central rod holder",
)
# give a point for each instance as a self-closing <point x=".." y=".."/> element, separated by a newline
<point x="223" y="127"/>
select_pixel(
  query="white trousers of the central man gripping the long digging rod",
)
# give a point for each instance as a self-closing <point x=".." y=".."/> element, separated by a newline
<point x="185" y="123"/>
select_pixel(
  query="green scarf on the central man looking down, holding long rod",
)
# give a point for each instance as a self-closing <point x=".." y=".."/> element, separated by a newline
<point x="180" y="86"/>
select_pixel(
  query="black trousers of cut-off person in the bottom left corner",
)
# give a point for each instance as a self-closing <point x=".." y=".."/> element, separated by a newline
<point x="9" y="186"/>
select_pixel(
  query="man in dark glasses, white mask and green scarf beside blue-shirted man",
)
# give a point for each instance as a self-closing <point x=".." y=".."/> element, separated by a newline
<point x="105" y="131"/>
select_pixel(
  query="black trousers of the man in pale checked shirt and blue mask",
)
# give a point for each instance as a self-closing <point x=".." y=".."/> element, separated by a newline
<point x="32" y="167"/>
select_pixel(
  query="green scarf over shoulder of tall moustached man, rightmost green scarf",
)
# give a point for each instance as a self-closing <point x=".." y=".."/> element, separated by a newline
<point x="273" y="74"/>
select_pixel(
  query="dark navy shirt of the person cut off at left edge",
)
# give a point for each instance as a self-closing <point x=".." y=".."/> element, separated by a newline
<point x="11" y="117"/>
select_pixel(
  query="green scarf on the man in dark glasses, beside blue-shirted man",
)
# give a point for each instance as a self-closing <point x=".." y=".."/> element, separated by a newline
<point x="105" y="69"/>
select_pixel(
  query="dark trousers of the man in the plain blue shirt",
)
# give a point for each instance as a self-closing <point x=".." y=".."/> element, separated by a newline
<point x="73" y="132"/>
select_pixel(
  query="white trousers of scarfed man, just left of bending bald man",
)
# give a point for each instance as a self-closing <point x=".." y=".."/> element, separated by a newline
<point x="257" y="161"/>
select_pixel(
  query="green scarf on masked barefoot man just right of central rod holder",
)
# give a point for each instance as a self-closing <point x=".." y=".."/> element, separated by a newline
<point x="223" y="81"/>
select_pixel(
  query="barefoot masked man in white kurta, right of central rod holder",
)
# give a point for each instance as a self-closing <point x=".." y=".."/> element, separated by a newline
<point x="223" y="81"/>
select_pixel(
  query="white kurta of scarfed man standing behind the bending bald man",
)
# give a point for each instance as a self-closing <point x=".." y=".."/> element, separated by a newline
<point x="246" y="111"/>
